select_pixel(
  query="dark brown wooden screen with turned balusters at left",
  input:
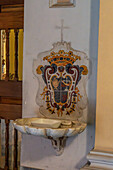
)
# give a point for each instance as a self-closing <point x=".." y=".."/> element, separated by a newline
<point x="11" y="90"/>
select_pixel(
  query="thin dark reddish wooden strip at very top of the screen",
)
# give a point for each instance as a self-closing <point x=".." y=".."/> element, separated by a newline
<point x="11" y="2"/>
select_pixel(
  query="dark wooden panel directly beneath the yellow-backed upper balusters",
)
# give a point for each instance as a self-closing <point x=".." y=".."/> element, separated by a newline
<point x="11" y="88"/>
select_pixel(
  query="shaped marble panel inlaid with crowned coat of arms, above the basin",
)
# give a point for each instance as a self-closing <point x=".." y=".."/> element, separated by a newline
<point x="62" y="74"/>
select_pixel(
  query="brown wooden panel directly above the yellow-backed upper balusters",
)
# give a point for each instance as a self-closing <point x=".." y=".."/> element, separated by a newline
<point x="11" y="20"/>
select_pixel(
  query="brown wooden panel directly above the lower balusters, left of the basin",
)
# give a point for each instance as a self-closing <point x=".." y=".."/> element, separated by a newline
<point x="11" y="112"/>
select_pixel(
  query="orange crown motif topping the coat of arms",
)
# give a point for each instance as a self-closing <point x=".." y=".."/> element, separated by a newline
<point x="62" y="58"/>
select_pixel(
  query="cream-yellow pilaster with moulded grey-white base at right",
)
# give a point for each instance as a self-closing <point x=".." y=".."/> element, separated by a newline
<point x="102" y="156"/>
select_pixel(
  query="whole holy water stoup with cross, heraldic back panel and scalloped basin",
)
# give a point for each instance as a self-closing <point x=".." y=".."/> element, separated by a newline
<point x="62" y="73"/>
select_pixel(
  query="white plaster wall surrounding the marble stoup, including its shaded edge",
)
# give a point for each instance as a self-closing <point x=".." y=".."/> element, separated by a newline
<point x="39" y="35"/>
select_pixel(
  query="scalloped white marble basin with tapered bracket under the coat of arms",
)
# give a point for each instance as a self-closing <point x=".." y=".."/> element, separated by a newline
<point x="55" y="130"/>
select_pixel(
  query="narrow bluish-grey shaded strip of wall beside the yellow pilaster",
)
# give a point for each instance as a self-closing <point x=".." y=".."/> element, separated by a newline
<point x="92" y="83"/>
